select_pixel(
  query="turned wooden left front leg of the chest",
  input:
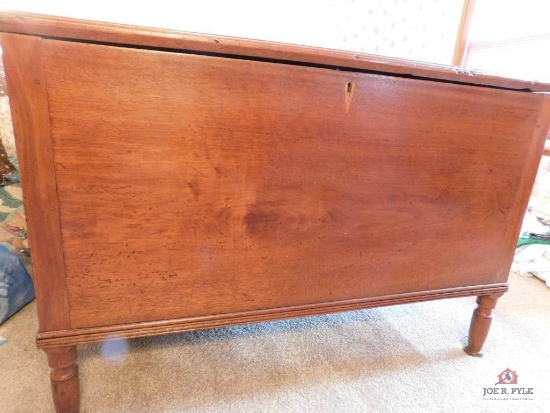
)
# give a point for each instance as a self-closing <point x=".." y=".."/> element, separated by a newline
<point x="64" y="379"/>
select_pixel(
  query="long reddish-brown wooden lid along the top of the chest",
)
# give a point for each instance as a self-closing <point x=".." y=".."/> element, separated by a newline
<point x="126" y="35"/>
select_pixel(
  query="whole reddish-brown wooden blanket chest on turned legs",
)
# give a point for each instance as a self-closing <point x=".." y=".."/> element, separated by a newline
<point x="176" y="181"/>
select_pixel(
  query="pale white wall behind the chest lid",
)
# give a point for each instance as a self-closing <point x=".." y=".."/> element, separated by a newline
<point x="413" y="29"/>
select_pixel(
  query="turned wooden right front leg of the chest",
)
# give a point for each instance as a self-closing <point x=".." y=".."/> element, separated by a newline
<point x="481" y="321"/>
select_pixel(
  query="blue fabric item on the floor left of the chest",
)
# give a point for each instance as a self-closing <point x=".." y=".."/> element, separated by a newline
<point x="16" y="287"/>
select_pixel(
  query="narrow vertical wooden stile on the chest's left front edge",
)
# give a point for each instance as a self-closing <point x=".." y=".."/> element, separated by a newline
<point x="22" y="56"/>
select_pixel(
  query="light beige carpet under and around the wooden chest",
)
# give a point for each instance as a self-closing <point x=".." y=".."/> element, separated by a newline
<point x="405" y="358"/>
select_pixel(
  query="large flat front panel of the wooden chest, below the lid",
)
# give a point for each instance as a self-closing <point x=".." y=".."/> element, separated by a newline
<point x="193" y="185"/>
